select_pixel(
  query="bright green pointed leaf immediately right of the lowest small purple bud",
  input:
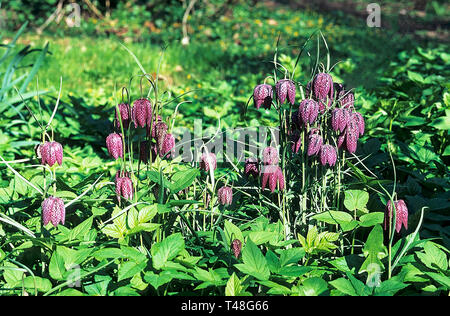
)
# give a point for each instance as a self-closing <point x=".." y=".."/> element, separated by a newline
<point x="254" y="262"/>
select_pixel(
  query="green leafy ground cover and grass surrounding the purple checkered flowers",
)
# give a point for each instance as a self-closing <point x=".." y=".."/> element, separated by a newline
<point x="322" y="233"/>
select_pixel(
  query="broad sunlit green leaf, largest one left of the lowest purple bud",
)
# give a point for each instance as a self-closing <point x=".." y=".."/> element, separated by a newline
<point x="166" y="250"/>
